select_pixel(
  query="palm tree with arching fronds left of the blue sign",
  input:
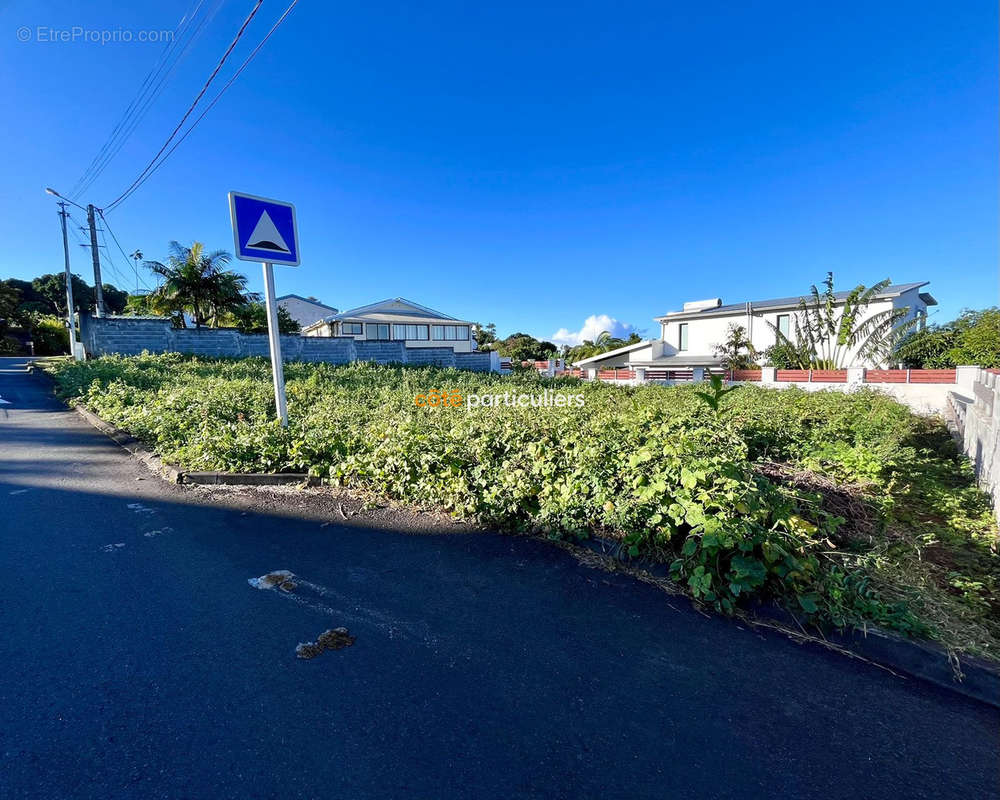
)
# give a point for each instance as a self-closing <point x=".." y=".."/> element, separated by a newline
<point x="199" y="283"/>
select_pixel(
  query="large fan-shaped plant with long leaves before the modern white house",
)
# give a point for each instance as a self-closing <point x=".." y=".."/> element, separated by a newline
<point x="828" y="329"/>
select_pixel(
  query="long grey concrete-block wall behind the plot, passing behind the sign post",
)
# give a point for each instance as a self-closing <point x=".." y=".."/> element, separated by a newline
<point x="133" y="335"/>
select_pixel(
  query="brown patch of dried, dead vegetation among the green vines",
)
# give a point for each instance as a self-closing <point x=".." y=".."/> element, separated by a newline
<point x="847" y="500"/>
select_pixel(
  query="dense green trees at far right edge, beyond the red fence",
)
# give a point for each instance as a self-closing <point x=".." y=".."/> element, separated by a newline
<point x="971" y="339"/>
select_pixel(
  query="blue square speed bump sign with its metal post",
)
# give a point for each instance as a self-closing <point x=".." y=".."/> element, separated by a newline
<point x="265" y="231"/>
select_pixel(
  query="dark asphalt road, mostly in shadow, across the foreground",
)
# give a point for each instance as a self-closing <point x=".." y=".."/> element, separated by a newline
<point x="137" y="661"/>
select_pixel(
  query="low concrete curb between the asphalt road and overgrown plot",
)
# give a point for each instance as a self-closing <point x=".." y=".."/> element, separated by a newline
<point x="926" y="661"/>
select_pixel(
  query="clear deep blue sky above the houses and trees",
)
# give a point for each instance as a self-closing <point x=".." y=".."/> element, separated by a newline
<point x="536" y="165"/>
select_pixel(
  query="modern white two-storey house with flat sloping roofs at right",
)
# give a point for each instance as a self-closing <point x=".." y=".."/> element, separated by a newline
<point x="688" y="337"/>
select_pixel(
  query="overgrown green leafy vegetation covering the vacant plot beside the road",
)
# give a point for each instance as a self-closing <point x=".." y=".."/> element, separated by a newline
<point x="846" y="508"/>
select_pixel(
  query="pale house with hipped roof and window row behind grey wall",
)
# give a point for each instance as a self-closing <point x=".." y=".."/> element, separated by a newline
<point x="398" y="319"/>
